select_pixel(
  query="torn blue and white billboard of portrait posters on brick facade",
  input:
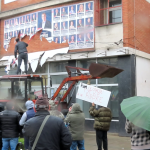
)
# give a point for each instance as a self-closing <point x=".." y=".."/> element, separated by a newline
<point x="73" y="23"/>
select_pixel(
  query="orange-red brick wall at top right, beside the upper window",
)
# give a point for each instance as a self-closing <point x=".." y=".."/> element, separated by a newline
<point x="142" y="24"/>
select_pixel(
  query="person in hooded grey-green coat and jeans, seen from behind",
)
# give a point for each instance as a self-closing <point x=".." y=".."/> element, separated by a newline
<point x="76" y="120"/>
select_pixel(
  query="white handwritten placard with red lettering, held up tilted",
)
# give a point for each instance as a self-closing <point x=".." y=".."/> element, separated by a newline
<point x="92" y="94"/>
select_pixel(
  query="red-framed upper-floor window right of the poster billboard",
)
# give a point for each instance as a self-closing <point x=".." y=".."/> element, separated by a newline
<point x="110" y="12"/>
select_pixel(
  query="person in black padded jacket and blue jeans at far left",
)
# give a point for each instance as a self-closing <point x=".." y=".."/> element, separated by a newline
<point x="9" y="125"/>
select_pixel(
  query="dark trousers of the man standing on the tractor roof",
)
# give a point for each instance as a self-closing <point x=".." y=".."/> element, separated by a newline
<point x="22" y="56"/>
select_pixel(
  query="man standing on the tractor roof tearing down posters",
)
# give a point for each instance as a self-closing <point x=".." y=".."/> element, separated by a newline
<point x="20" y="47"/>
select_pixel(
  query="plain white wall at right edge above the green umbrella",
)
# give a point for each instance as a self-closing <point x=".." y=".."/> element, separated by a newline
<point x="143" y="76"/>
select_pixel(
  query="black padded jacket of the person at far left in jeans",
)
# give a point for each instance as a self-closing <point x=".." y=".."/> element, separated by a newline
<point x="9" y="124"/>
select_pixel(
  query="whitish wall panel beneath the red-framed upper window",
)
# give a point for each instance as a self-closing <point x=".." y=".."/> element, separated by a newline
<point x="105" y="36"/>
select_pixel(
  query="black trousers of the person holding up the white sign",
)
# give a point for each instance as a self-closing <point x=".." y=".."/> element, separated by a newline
<point x="101" y="136"/>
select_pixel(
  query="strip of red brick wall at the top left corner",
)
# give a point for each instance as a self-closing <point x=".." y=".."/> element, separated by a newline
<point x="18" y="4"/>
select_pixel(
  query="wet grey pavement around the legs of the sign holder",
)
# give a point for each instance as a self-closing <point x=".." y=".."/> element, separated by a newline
<point x="115" y="142"/>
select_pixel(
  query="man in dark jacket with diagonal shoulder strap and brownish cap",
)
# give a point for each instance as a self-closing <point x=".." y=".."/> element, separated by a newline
<point x="54" y="136"/>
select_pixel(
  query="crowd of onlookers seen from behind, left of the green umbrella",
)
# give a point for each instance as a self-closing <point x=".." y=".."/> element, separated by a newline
<point x="61" y="131"/>
